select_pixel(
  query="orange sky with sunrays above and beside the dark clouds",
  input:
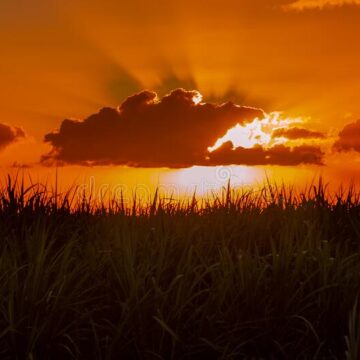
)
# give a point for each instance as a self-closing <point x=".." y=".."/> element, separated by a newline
<point x="67" y="59"/>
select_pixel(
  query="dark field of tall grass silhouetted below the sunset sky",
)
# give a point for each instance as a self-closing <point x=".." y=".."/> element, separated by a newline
<point x="267" y="275"/>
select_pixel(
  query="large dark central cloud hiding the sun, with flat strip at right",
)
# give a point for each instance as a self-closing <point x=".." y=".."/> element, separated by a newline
<point x="173" y="132"/>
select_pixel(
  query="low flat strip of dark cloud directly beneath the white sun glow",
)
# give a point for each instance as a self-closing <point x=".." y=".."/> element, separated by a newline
<point x="277" y="155"/>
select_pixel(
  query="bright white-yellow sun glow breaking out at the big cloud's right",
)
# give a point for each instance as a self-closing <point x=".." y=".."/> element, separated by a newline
<point x="258" y="132"/>
